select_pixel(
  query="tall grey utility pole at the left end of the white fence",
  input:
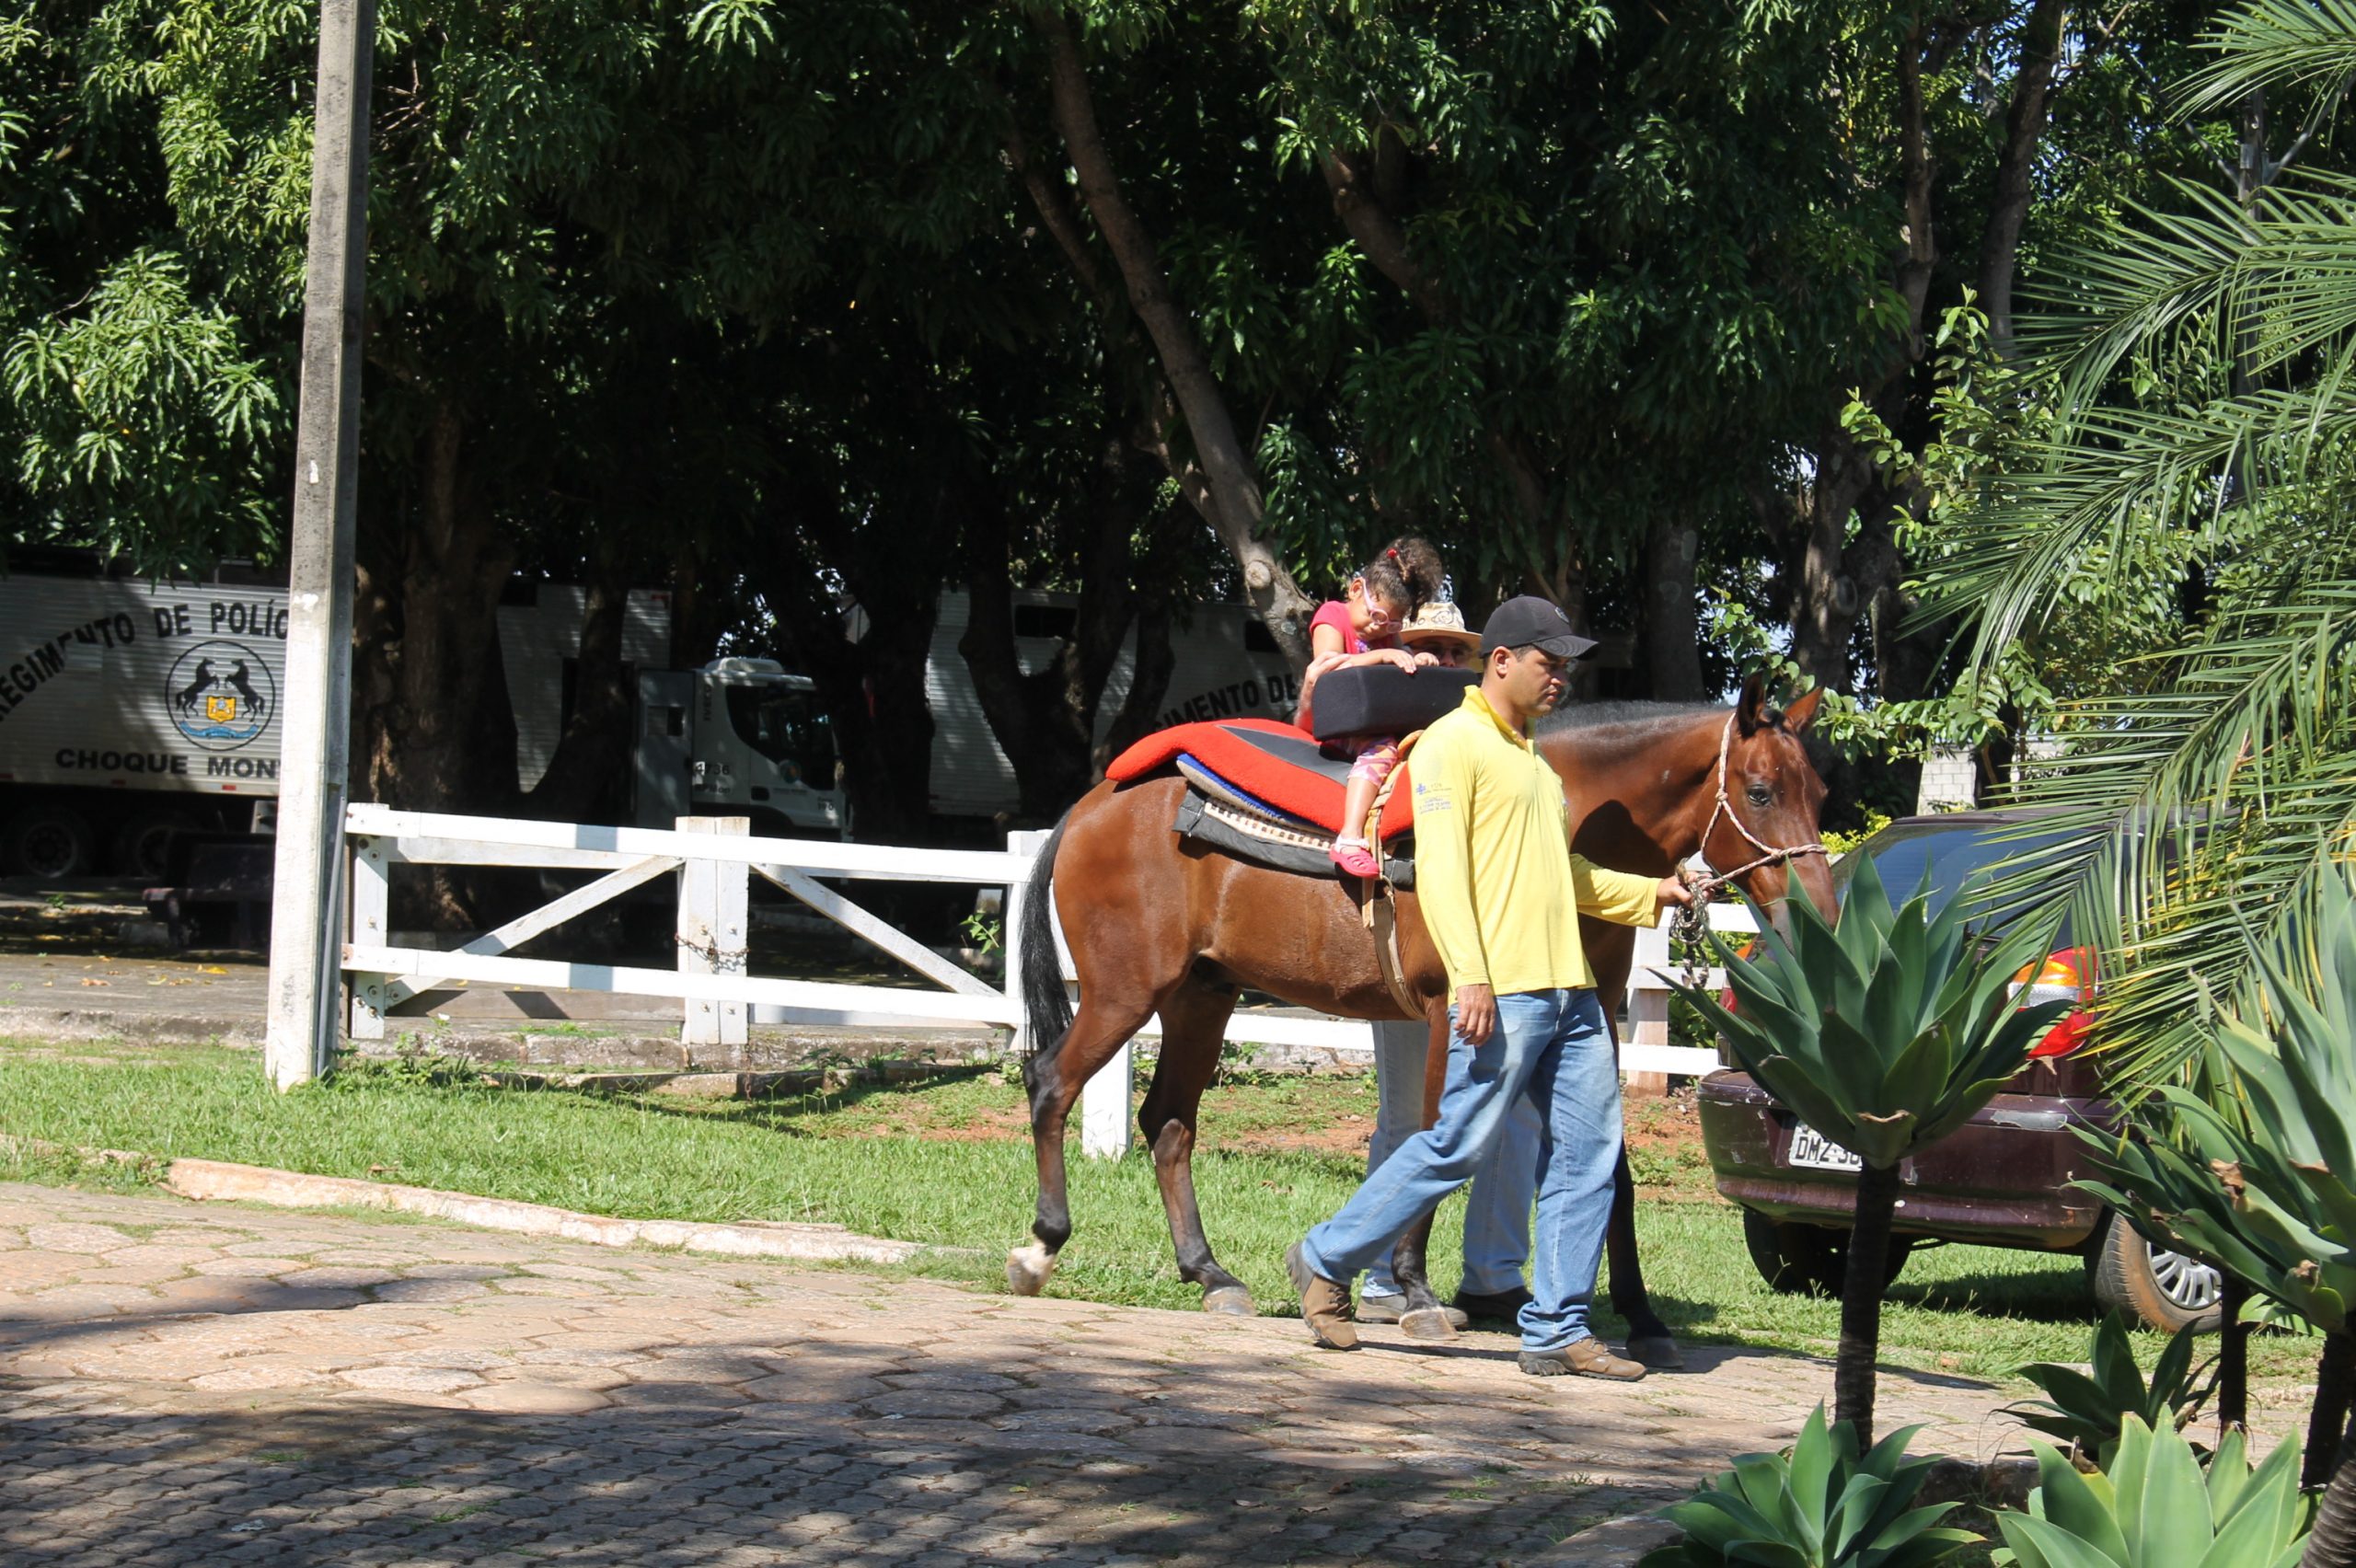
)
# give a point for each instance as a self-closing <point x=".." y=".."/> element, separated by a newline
<point x="307" y="908"/>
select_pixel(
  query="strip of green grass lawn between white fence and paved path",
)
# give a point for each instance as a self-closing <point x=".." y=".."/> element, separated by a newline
<point x="951" y="1164"/>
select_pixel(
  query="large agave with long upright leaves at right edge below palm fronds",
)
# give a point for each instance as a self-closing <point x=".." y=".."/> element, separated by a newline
<point x="2261" y="1176"/>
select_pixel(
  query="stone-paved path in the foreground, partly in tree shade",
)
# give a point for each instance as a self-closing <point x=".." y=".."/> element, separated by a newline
<point x="223" y="1386"/>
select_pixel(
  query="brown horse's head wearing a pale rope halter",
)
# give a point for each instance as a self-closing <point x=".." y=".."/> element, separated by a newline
<point x="1775" y="799"/>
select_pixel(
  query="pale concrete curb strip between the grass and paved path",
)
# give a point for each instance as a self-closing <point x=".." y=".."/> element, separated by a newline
<point x="220" y="1181"/>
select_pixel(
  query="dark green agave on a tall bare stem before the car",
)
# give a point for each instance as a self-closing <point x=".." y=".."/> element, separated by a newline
<point x="1884" y="1032"/>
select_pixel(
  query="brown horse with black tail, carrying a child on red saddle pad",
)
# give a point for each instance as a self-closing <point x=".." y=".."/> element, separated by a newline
<point x="1158" y="924"/>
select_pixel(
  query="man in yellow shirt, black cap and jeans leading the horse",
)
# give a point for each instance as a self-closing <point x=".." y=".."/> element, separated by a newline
<point x="1502" y="896"/>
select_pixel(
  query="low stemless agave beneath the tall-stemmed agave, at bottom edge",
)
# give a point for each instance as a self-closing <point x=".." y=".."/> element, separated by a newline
<point x="1822" y="1506"/>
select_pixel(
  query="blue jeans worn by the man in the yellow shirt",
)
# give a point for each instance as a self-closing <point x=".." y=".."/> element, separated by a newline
<point x="1556" y="1049"/>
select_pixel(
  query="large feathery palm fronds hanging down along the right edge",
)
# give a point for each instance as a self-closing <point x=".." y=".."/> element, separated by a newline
<point x="2173" y="498"/>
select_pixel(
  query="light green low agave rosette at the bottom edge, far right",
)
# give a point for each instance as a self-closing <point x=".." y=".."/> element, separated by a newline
<point x="2155" y="1508"/>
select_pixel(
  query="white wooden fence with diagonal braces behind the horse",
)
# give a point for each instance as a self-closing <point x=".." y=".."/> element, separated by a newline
<point x="715" y="861"/>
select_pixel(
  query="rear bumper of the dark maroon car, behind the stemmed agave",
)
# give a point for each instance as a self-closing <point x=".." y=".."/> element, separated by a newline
<point x="2001" y="1178"/>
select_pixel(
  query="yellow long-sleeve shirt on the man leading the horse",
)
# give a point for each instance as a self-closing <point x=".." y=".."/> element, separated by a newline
<point x="1495" y="872"/>
